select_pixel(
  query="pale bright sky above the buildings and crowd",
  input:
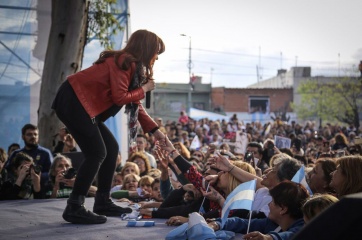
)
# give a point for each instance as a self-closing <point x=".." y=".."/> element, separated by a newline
<point x="235" y="41"/>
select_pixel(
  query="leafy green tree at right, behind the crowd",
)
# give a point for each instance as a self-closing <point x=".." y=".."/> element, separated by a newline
<point x="339" y="99"/>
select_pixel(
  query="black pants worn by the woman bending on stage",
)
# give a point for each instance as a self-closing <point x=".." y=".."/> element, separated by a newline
<point x="97" y="143"/>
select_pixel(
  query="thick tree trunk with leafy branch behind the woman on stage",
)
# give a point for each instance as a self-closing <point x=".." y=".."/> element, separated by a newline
<point x="73" y="23"/>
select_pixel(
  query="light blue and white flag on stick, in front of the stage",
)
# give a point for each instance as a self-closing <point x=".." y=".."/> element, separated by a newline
<point x="241" y="197"/>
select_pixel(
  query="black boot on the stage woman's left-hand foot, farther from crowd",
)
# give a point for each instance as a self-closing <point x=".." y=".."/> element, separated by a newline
<point x="75" y="212"/>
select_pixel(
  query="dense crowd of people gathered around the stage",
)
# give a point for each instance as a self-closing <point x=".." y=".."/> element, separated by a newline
<point x="168" y="180"/>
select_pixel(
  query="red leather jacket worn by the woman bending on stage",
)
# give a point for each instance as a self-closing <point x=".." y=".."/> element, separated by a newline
<point x="102" y="85"/>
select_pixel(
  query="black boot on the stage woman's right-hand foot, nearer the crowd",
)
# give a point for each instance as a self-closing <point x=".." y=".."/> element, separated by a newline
<point x="105" y="206"/>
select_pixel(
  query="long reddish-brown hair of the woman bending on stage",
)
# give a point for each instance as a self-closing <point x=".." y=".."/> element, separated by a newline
<point x="141" y="47"/>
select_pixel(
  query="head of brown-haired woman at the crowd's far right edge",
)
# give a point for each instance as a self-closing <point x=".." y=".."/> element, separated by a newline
<point x="347" y="177"/>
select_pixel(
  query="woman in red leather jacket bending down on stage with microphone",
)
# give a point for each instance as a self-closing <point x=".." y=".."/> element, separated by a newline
<point x="87" y="98"/>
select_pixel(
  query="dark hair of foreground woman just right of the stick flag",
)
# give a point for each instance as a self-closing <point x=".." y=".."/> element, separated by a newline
<point x="290" y="195"/>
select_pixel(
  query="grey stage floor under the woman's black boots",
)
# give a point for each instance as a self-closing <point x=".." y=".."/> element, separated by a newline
<point x="42" y="219"/>
